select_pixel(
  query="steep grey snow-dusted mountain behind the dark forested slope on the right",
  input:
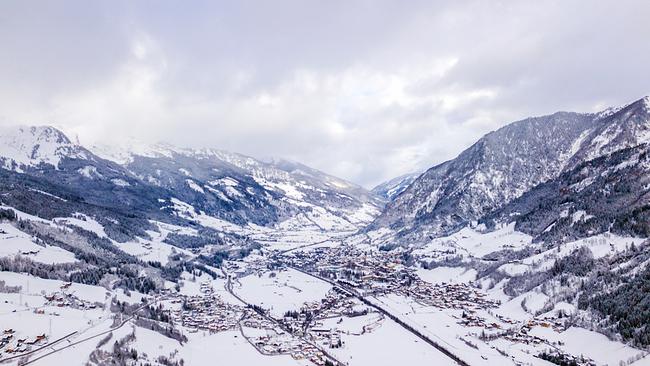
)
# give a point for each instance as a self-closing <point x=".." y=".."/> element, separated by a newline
<point x="505" y="164"/>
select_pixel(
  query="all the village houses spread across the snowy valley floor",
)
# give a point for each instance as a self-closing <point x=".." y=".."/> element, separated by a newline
<point x="311" y="332"/>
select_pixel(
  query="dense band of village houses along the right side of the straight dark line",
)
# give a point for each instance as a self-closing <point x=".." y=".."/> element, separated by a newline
<point x="377" y="273"/>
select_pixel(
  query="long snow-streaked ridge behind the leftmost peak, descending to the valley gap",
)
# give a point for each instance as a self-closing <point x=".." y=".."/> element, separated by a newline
<point x="215" y="179"/>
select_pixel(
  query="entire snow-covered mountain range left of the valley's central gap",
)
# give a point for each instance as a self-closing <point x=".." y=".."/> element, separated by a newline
<point x="123" y="187"/>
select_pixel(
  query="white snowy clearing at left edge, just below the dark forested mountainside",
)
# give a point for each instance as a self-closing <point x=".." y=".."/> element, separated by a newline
<point x="14" y="241"/>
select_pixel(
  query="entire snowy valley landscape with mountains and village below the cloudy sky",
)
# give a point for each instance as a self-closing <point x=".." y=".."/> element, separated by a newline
<point x="529" y="248"/>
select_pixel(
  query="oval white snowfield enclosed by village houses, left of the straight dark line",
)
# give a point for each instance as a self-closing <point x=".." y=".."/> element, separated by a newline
<point x="286" y="290"/>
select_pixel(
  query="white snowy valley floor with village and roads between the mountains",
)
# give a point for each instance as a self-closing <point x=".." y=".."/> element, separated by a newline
<point x="308" y="297"/>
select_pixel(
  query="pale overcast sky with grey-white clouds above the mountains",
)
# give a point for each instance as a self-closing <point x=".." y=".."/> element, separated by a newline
<point x="365" y="90"/>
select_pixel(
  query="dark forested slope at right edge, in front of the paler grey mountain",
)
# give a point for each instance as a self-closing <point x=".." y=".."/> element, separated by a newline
<point x="607" y="194"/>
